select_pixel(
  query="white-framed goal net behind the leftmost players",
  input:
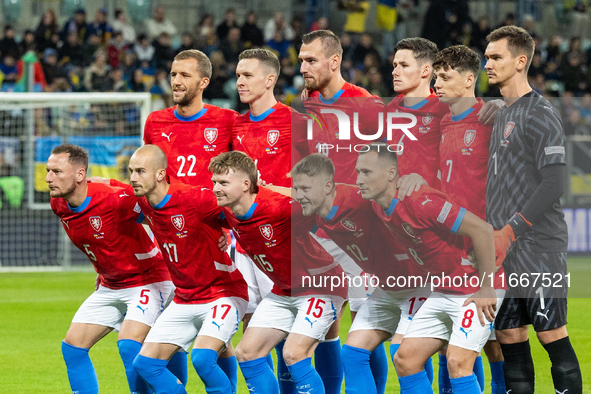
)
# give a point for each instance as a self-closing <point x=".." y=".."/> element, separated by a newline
<point x="108" y="125"/>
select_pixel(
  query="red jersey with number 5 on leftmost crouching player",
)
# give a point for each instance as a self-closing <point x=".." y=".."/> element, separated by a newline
<point x="106" y="227"/>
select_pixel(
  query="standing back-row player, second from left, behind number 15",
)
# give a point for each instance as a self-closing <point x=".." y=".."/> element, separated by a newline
<point x="264" y="134"/>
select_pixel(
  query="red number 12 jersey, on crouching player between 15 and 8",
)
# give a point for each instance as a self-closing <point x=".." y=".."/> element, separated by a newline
<point x="352" y="225"/>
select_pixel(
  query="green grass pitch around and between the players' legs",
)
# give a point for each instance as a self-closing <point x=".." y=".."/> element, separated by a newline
<point x="36" y="310"/>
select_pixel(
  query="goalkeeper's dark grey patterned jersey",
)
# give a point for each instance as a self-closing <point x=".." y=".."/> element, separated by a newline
<point x="526" y="137"/>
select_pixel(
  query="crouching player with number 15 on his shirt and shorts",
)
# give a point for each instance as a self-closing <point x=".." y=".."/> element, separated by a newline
<point x="284" y="250"/>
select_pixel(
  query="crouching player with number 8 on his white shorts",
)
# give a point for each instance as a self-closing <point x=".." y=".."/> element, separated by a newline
<point x="425" y="224"/>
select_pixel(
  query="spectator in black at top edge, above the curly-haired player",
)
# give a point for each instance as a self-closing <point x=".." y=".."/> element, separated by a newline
<point x="445" y="20"/>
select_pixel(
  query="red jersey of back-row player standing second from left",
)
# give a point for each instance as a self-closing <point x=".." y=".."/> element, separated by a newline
<point x="267" y="140"/>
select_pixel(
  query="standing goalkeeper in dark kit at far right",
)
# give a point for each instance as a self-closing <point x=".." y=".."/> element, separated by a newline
<point x="525" y="180"/>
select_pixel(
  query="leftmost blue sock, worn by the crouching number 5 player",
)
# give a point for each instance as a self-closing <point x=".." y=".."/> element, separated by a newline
<point x="81" y="372"/>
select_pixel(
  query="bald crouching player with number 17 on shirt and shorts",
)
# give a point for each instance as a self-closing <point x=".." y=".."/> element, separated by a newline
<point x="210" y="296"/>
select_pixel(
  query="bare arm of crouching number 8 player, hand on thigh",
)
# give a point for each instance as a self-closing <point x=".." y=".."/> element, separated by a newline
<point x="481" y="234"/>
